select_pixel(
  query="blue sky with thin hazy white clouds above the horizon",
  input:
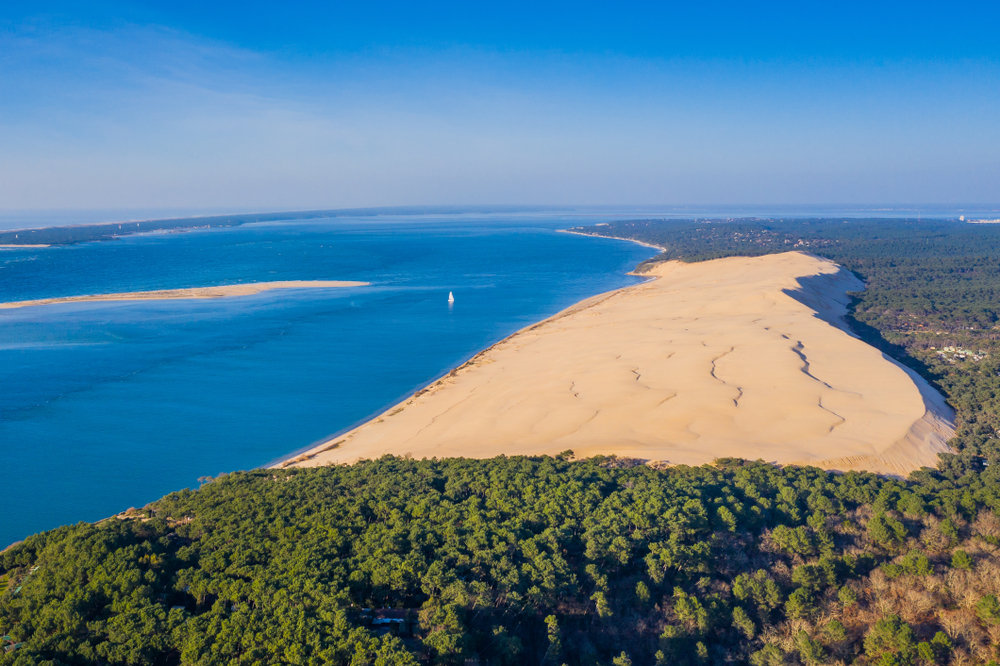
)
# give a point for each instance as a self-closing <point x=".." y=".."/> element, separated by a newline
<point x="268" y="105"/>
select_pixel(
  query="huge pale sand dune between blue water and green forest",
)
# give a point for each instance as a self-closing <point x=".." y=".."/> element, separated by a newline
<point x="732" y="357"/>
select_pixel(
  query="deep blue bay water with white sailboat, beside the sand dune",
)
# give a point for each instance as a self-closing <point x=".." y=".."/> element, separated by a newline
<point x="109" y="405"/>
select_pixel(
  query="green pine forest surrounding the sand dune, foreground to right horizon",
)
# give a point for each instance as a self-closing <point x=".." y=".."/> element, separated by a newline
<point x="553" y="561"/>
